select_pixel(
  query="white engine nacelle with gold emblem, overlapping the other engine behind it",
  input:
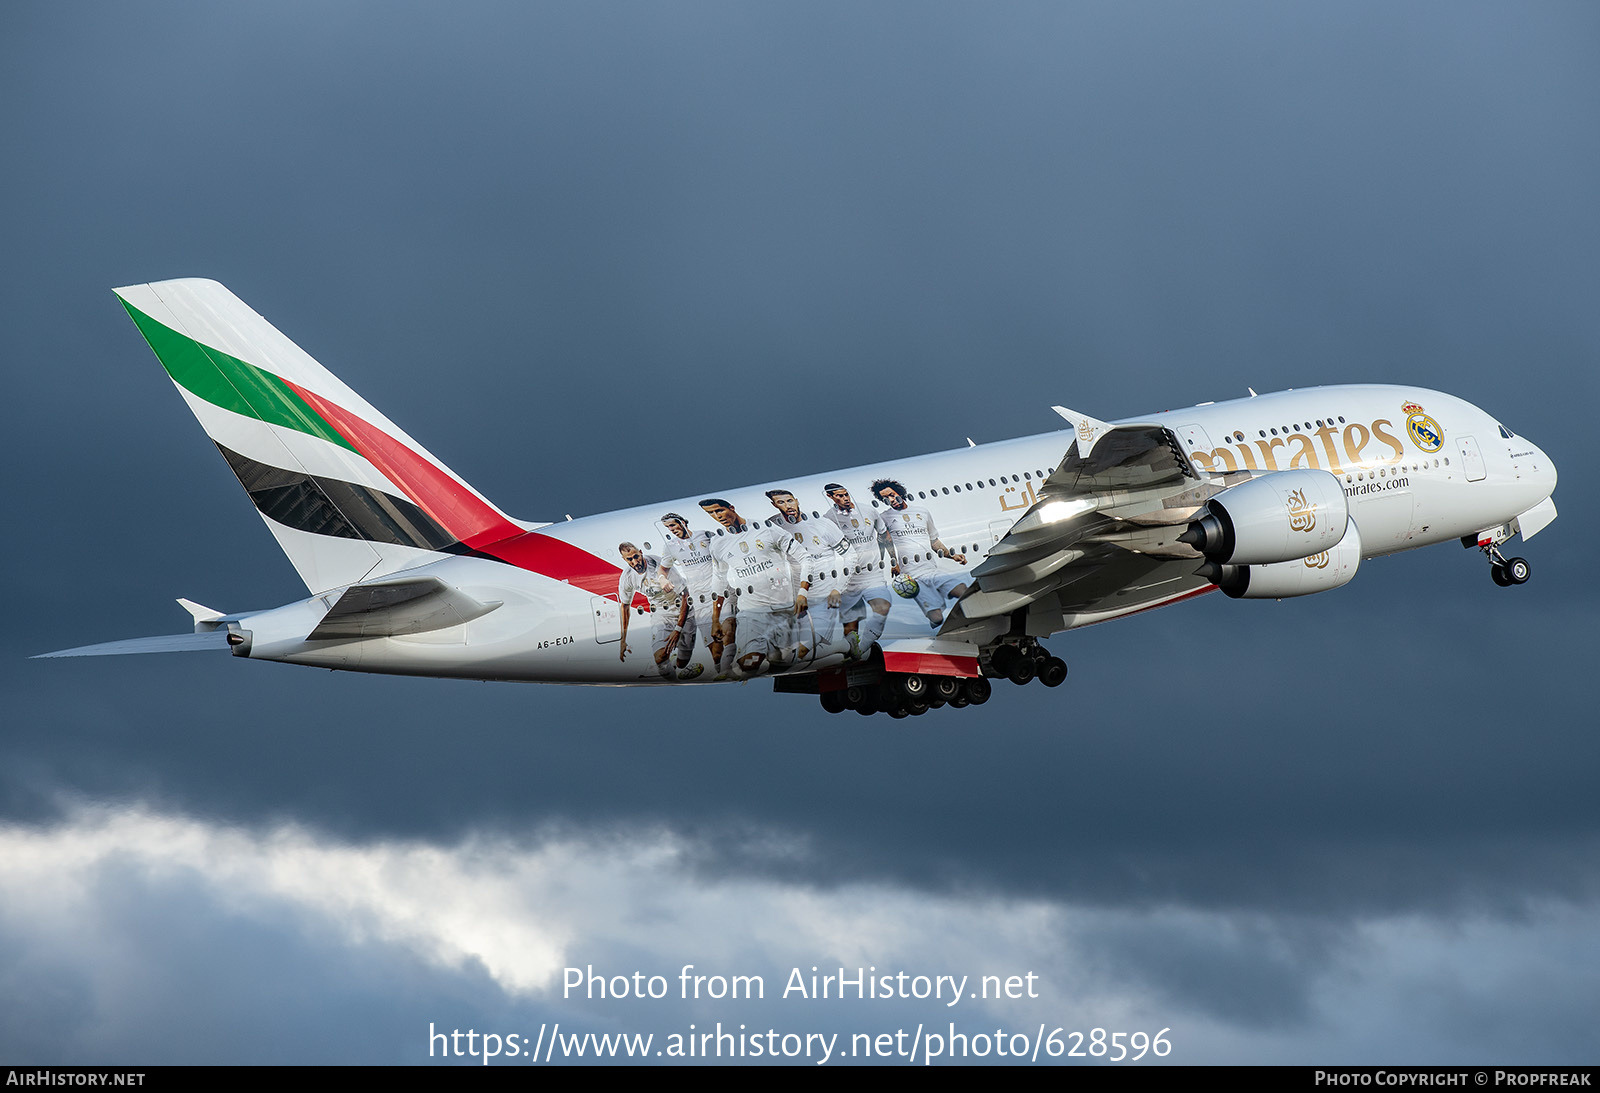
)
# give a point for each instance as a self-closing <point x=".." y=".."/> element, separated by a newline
<point x="1278" y="518"/>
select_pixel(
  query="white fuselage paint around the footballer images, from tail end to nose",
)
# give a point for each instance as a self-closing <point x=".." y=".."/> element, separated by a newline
<point x="1402" y="495"/>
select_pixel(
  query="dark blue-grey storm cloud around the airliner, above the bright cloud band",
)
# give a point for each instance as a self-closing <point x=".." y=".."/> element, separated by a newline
<point x="919" y="225"/>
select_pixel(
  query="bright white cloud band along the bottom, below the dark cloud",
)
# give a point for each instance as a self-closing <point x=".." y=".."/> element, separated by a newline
<point x="521" y="911"/>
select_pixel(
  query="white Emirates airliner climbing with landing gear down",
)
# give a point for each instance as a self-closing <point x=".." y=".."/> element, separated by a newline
<point x="890" y="588"/>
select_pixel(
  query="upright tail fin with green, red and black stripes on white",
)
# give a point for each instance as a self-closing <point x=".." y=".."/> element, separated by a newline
<point x="346" y="492"/>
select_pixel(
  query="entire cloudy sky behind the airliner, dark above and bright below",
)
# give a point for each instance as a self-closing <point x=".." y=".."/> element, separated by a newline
<point x="575" y="249"/>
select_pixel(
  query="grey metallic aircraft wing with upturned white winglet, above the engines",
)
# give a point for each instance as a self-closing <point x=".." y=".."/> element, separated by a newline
<point x="1100" y="540"/>
